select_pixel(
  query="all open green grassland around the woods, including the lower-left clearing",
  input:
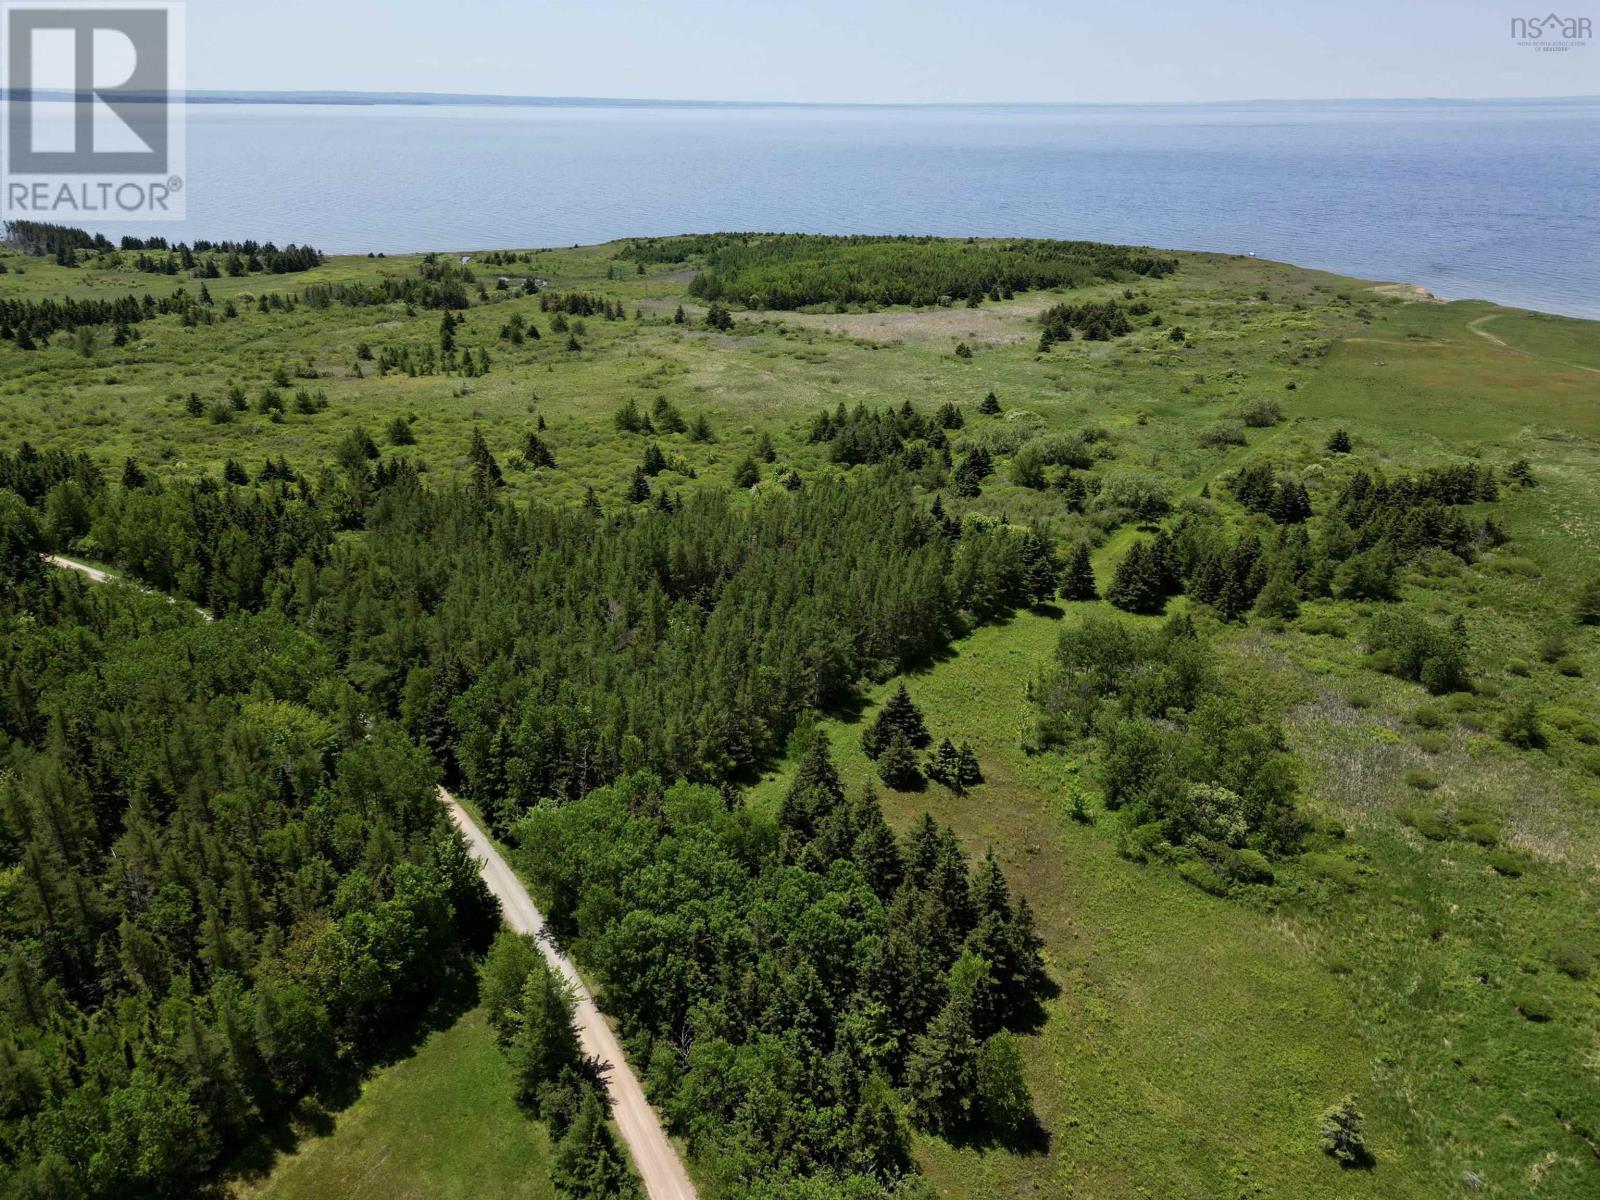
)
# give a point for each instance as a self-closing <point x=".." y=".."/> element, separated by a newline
<point x="1196" y="1041"/>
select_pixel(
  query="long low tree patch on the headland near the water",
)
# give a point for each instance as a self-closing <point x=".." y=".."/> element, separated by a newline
<point x="793" y="271"/>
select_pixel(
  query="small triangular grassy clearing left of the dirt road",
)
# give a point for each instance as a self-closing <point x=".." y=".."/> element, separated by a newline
<point x="438" y="1126"/>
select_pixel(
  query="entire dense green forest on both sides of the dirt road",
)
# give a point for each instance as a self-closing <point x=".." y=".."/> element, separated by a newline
<point x="268" y="780"/>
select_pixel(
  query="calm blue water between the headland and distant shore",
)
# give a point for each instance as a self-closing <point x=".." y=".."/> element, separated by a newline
<point x="1497" y="199"/>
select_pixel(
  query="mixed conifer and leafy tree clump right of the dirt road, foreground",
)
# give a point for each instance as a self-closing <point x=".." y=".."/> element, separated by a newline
<point x="801" y="990"/>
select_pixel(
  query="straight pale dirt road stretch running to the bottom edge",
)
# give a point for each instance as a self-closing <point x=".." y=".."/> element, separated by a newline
<point x="654" y="1156"/>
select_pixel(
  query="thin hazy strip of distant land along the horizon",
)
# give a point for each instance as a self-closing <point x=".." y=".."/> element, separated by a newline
<point x="422" y="100"/>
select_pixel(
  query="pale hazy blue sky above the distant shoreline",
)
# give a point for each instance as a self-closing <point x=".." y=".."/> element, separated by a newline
<point x="889" y="50"/>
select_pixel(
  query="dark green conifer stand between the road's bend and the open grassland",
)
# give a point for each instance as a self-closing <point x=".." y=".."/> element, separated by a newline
<point x="543" y="652"/>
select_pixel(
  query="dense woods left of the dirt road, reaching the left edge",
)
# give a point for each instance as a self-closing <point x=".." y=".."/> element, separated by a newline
<point x="228" y="882"/>
